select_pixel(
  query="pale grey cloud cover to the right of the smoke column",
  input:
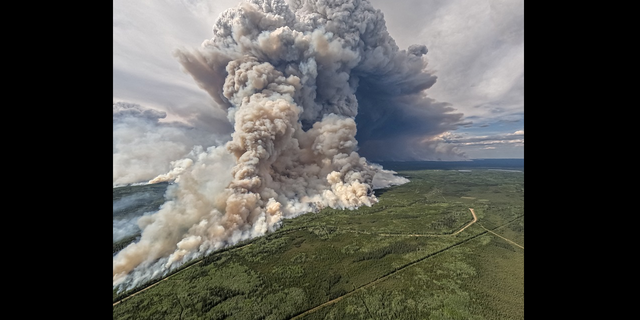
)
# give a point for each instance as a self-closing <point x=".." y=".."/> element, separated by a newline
<point x="475" y="47"/>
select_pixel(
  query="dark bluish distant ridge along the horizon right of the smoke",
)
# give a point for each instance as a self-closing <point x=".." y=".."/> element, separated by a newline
<point x="511" y="164"/>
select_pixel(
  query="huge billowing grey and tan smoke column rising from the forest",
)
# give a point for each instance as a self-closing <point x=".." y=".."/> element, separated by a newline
<point x="289" y="76"/>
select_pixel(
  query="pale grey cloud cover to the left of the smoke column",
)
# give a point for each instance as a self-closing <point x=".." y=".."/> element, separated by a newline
<point x="144" y="35"/>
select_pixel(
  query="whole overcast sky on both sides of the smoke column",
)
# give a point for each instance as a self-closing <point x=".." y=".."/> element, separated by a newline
<point x="475" y="48"/>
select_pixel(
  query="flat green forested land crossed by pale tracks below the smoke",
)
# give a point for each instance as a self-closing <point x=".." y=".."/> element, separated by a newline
<point x="399" y="259"/>
